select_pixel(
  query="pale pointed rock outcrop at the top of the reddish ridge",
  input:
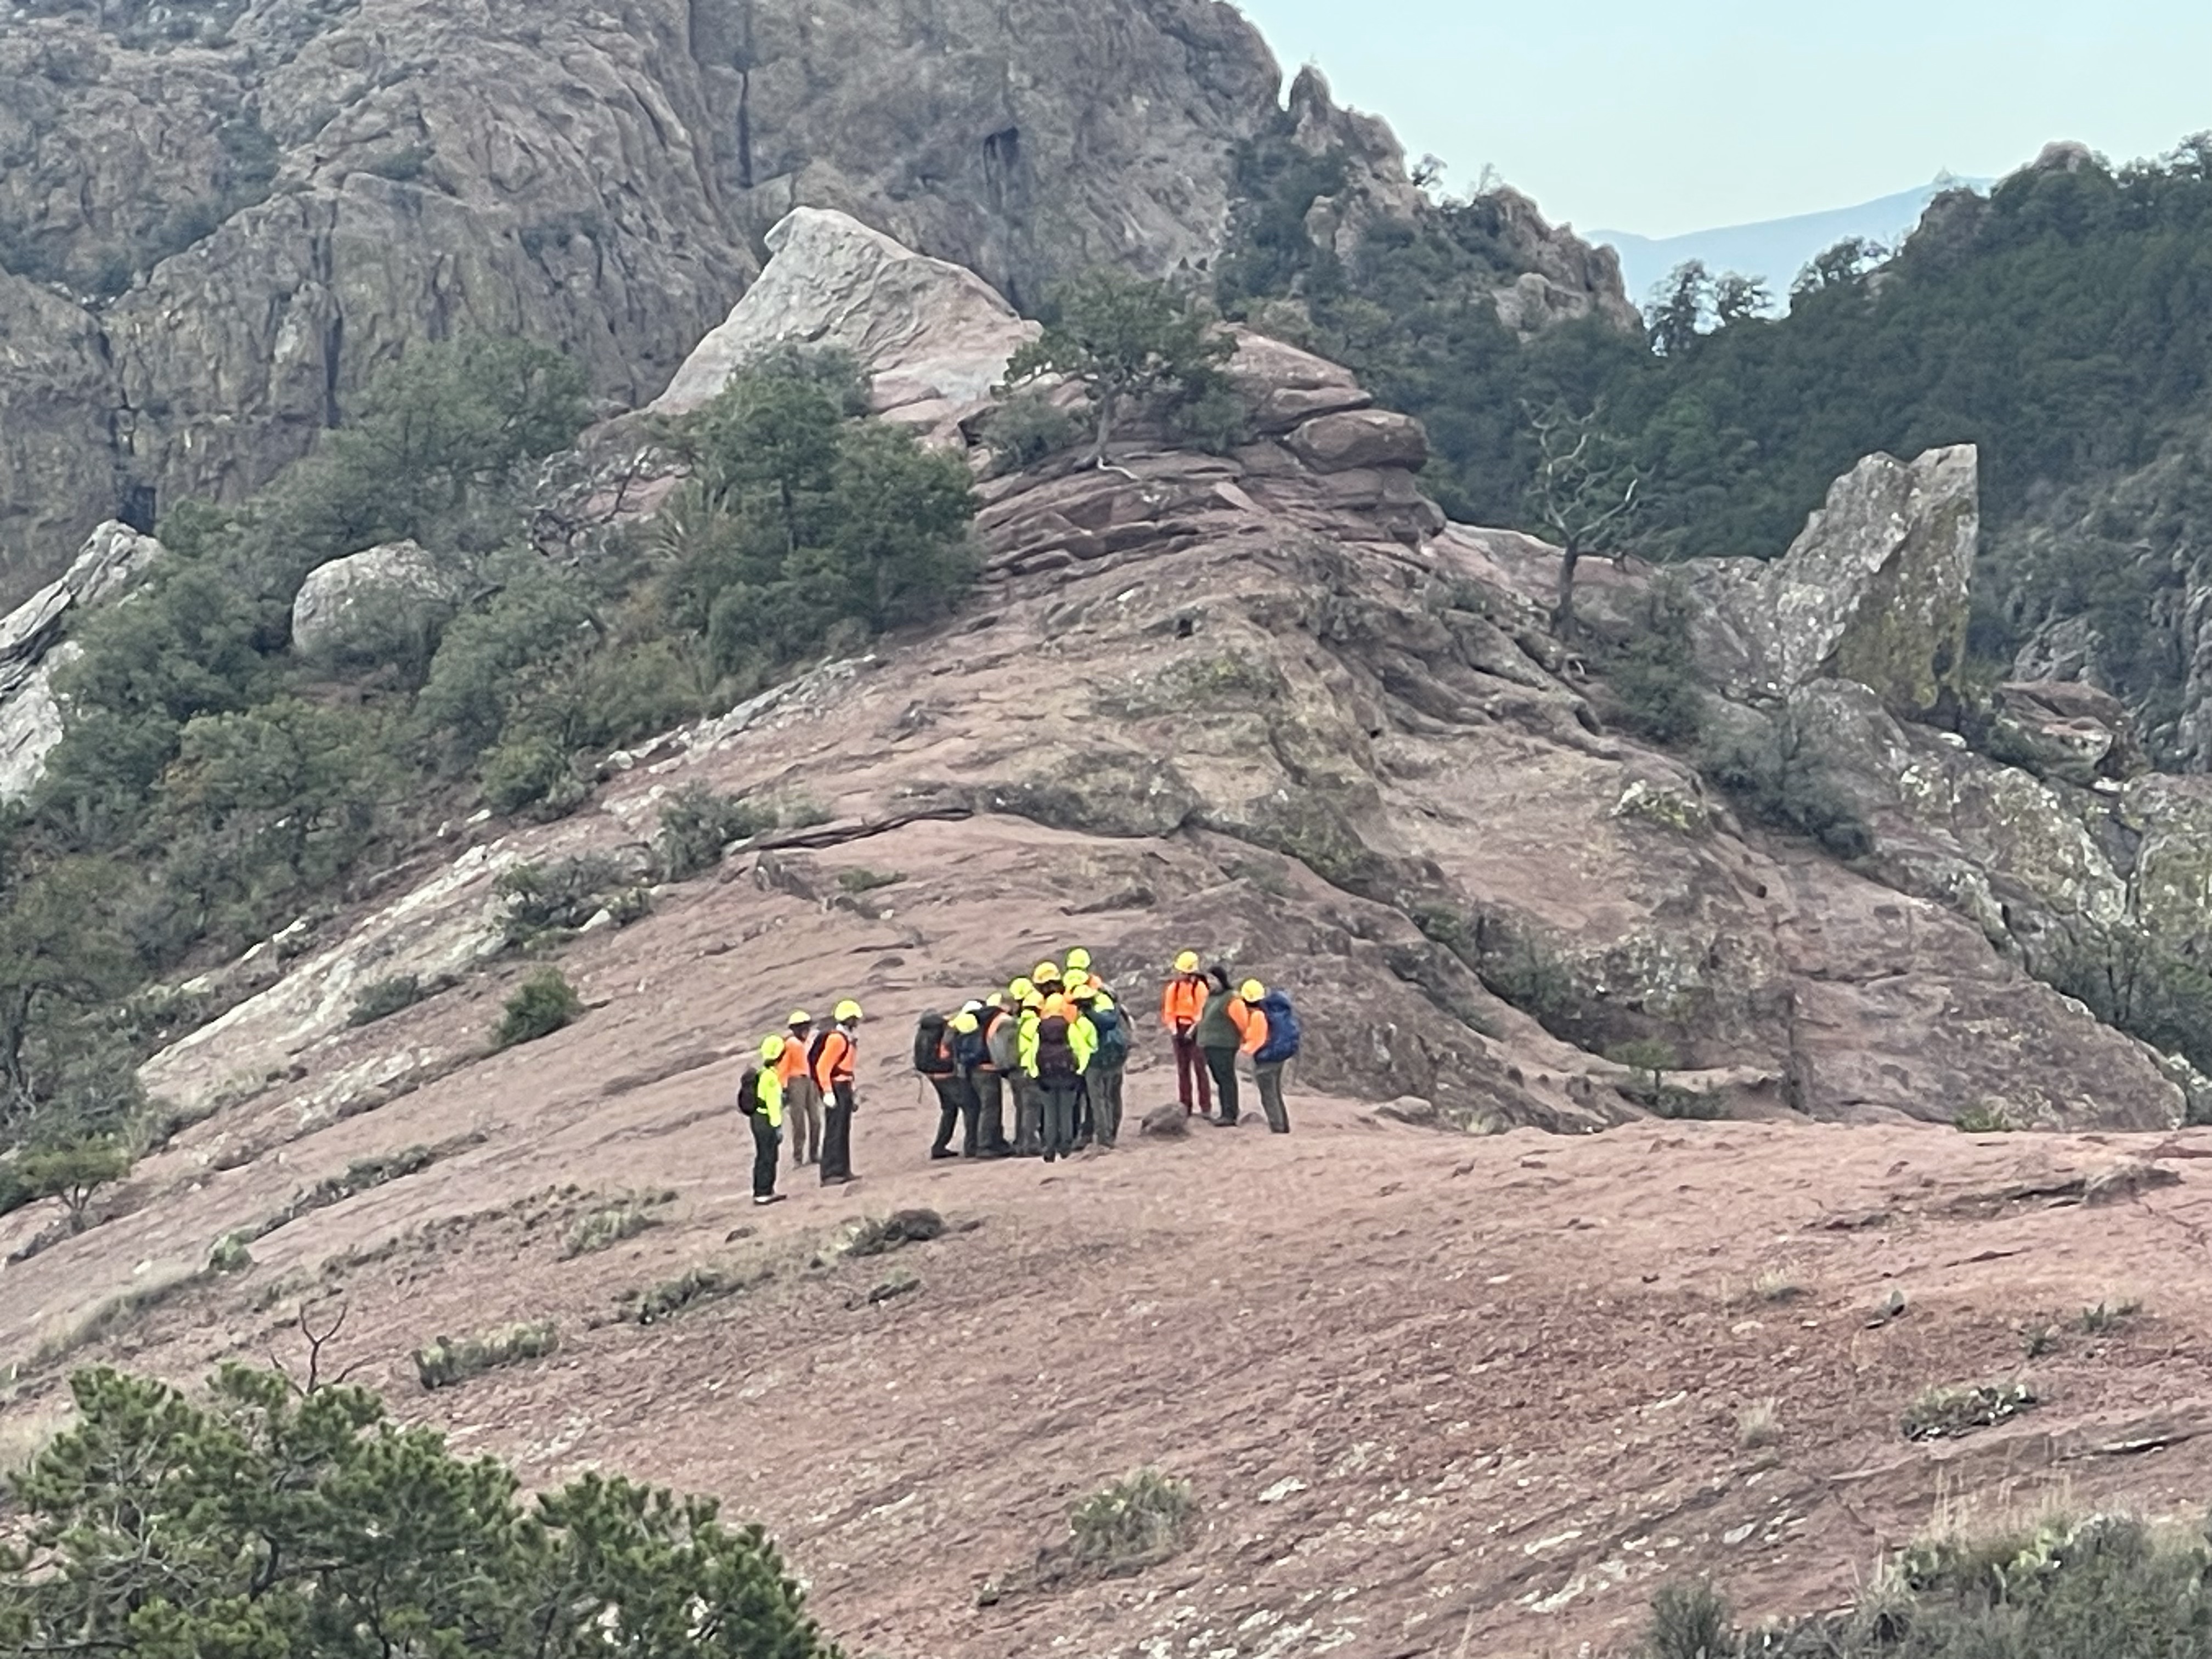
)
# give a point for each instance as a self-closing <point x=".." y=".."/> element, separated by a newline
<point x="932" y="335"/>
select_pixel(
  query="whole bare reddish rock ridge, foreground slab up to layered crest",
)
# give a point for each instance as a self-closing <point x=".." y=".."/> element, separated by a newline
<point x="1264" y="702"/>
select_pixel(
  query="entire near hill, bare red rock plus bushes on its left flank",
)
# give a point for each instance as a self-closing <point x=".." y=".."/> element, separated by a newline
<point x="1253" y="698"/>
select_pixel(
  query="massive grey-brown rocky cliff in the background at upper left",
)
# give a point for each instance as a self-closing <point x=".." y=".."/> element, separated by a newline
<point x="218" y="216"/>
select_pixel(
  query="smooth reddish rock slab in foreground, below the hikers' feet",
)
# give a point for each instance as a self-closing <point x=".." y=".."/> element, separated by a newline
<point x="1426" y="1386"/>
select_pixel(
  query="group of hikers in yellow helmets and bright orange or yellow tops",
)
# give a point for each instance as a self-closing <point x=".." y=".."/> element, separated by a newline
<point x="1056" y="1043"/>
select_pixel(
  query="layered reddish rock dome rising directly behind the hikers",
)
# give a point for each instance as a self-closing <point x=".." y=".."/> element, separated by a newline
<point x="1293" y="718"/>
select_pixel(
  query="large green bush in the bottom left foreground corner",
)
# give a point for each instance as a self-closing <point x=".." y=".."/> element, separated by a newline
<point x="255" y="1519"/>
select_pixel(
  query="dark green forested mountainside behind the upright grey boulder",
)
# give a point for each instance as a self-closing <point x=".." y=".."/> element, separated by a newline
<point x="2058" y="326"/>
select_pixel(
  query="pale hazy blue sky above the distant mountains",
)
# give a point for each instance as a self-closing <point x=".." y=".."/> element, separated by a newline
<point x="1625" y="116"/>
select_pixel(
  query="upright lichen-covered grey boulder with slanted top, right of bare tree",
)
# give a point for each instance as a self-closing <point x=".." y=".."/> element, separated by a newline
<point x="1875" y="592"/>
